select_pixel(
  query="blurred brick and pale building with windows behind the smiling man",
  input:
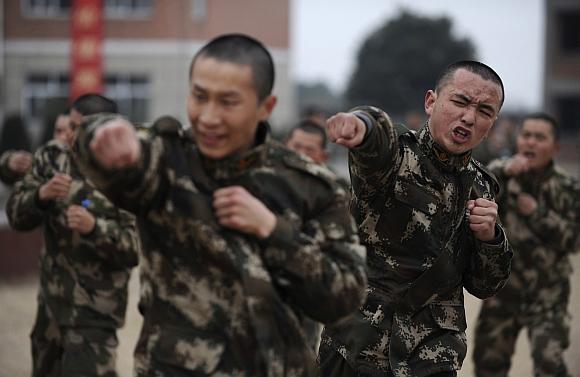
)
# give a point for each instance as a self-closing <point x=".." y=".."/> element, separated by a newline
<point x="147" y="49"/>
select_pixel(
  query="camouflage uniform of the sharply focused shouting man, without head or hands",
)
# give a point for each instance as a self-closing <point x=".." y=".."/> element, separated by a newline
<point x="409" y="199"/>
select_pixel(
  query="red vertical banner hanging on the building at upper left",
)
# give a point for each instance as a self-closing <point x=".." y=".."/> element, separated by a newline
<point x="86" y="48"/>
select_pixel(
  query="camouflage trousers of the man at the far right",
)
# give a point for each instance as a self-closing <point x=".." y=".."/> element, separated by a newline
<point x="497" y="331"/>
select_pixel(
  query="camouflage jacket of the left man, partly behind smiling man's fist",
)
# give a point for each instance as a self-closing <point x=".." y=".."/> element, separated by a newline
<point x="83" y="278"/>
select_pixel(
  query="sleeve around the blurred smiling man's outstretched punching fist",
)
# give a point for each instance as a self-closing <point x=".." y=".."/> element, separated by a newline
<point x="133" y="189"/>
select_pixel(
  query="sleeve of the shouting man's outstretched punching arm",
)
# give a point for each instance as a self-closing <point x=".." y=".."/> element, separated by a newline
<point x="373" y="161"/>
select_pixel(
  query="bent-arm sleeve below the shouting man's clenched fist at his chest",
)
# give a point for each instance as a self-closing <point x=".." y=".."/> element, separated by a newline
<point x="489" y="265"/>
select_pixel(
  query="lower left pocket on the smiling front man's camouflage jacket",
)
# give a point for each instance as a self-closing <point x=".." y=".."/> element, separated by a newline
<point x="190" y="350"/>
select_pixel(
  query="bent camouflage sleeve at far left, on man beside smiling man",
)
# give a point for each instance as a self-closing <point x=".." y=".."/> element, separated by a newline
<point x="24" y="210"/>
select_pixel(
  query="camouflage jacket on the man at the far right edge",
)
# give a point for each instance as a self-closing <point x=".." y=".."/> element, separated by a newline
<point x="543" y="240"/>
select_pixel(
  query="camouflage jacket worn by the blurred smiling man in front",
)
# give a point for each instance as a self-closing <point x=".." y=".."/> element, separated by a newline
<point x="221" y="302"/>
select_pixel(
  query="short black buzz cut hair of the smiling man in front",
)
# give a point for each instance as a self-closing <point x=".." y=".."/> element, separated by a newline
<point x="243" y="50"/>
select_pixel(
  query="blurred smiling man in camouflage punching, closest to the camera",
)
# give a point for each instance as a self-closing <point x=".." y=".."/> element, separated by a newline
<point x="242" y="238"/>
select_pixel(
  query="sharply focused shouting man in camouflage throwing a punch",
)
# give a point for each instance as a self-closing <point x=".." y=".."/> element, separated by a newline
<point x="425" y="212"/>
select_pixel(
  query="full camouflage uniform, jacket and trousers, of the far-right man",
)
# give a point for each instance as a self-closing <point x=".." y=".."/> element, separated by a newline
<point x="536" y="295"/>
